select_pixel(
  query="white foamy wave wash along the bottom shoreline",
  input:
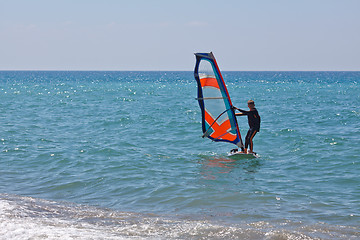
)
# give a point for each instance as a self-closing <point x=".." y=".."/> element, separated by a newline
<point x="29" y="218"/>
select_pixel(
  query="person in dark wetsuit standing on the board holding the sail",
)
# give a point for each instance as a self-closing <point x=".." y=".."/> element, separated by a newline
<point x="254" y="124"/>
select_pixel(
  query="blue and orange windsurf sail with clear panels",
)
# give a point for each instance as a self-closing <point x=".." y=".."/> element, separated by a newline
<point x="218" y="116"/>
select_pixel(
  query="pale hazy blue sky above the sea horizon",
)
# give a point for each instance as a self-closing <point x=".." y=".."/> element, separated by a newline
<point x="131" y="35"/>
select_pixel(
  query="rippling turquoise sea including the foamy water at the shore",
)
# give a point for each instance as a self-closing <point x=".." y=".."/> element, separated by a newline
<point x="120" y="155"/>
